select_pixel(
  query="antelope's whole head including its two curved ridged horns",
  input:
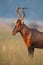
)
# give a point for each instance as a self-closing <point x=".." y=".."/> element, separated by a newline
<point x="19" y="22"/>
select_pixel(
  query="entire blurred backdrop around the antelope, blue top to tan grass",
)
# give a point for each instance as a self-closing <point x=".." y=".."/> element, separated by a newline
<point x="13" y="50"/>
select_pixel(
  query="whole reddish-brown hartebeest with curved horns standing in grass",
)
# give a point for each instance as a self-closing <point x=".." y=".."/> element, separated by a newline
<point x="32" y="37"/>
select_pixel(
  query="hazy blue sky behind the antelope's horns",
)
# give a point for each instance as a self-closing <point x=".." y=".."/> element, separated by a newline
<point x="35" y="11"/>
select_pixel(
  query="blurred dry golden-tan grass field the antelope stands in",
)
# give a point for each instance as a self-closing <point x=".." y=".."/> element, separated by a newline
<point x="13" y="50"/>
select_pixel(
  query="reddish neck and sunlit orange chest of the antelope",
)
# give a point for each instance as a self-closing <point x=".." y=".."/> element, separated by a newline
<point x="25" y="32"/>
